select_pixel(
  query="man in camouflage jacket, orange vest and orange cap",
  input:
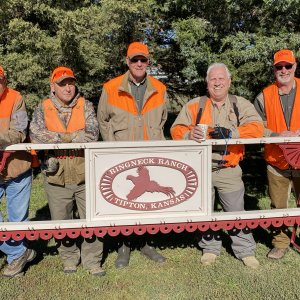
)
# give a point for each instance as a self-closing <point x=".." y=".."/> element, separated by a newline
<point x="66" y="117"/>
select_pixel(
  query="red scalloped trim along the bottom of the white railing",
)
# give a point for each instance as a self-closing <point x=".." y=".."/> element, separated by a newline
<point x="47" y="234"/>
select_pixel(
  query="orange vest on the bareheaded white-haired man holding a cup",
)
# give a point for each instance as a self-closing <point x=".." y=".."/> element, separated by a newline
<point x="235" y="152"/>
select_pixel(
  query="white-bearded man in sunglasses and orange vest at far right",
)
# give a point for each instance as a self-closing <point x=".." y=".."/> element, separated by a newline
<point x="279" y="107"/>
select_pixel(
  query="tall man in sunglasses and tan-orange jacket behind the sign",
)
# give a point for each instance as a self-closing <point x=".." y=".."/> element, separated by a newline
<point x="133" y="107"/>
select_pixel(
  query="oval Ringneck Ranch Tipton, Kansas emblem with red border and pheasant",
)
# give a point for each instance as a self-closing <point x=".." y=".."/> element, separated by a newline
<point x="129" y="183"/>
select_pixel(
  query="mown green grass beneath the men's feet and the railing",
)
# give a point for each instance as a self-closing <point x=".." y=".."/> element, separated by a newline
<point x="181" y="277"/>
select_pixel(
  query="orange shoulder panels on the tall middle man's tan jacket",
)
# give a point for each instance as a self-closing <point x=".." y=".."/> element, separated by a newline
<point x="123" y="100"/>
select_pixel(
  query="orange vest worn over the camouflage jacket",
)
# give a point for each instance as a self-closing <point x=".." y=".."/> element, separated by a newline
<point x="54" y="123"/>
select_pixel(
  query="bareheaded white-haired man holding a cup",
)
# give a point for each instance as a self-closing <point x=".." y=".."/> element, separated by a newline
<point x="227" y="116"/>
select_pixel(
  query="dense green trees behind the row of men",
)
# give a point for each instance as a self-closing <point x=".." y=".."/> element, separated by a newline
<point x="184" y="36"/>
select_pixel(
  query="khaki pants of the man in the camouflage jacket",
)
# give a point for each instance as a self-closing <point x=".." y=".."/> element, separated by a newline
<point x="60" y="199"/>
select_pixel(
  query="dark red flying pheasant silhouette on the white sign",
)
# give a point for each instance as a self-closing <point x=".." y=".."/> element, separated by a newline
<point x="143" y="184"/>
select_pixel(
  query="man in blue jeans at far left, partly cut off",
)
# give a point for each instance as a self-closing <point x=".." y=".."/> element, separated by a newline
<point x="15" y="173"/>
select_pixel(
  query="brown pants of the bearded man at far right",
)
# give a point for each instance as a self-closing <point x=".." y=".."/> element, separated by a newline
<point x="280" y="183"/>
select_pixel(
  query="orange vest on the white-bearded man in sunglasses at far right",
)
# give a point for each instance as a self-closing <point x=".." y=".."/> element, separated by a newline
<point x="276" y="122"/>
